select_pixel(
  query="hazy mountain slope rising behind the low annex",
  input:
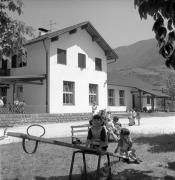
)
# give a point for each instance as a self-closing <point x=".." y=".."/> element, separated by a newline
<point x="141" y="60"/>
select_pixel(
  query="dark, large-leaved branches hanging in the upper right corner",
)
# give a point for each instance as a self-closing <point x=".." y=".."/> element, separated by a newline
<point x="163" y="13"/>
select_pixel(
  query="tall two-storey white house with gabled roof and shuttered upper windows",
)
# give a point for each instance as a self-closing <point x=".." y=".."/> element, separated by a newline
<point x="65" y="71"/>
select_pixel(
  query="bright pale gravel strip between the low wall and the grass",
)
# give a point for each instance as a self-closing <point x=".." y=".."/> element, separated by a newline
<point x="152" y="125"/>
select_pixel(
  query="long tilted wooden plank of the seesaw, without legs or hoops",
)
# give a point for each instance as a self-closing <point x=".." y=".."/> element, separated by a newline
<point x="60" y="143"/>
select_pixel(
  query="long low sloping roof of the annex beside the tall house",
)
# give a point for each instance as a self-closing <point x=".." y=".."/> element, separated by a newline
<point x="116" y="79"/>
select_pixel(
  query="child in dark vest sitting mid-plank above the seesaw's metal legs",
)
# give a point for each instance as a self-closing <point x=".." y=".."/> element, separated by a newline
<point x="97" y="136"/>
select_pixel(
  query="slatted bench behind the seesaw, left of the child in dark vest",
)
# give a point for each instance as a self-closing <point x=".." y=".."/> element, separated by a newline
<point x="78" y="130"/>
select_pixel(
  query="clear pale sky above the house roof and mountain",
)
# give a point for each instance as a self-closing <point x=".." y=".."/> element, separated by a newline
<point x="117" y="21"/>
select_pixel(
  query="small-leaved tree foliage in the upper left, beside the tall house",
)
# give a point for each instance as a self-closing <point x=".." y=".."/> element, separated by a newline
<point x="12" y="32"/>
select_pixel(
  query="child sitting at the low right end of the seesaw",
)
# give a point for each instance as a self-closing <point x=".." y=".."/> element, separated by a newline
<point x="124" y="147"/>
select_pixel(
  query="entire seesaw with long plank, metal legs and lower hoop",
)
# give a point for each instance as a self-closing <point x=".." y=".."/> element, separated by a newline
<point x="81" y="149"/>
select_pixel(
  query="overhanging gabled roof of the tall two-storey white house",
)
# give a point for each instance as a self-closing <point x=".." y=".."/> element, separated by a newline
<point x="109" y="52"/>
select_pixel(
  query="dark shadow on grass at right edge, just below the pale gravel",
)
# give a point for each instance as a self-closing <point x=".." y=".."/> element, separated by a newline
<point x="158" y="143"/>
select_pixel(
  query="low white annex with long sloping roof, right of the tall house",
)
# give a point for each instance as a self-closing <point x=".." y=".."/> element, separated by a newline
<point x="125" y="93"/>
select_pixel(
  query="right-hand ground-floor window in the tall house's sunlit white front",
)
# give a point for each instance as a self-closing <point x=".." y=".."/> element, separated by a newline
<point x="93" y="93"/>
